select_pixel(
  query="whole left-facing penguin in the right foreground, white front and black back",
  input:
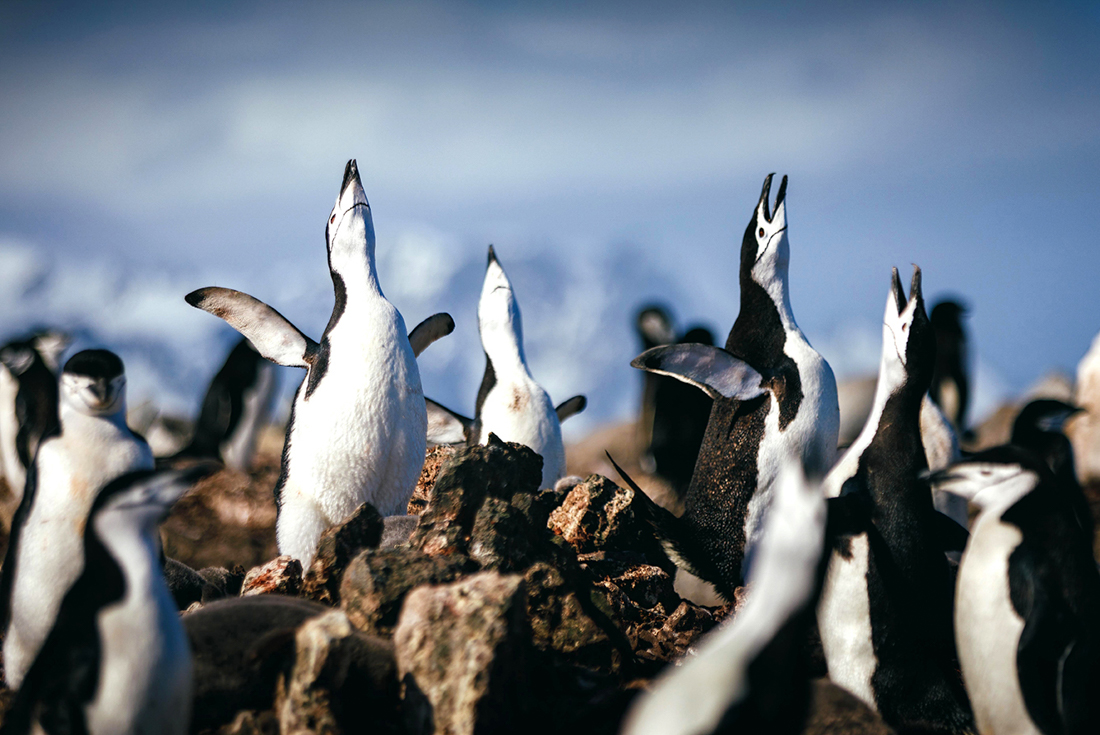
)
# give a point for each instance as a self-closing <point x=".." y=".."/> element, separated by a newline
<point x="1028" y="601"/>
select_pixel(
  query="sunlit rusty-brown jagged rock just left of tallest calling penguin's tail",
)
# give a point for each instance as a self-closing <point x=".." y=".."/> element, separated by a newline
<point x="599" y="515"/>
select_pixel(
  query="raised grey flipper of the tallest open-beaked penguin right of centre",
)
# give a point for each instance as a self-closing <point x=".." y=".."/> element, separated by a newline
<point x="710" y="369"/>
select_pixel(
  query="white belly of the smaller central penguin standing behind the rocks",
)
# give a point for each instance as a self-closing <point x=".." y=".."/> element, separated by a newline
<point x="522" y="412"/>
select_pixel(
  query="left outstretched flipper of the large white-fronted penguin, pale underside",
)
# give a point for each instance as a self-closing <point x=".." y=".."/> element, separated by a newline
<point x="273" y="336"/>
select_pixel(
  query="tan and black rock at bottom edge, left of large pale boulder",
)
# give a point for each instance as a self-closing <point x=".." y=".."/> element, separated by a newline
<point x="340" y="679"/>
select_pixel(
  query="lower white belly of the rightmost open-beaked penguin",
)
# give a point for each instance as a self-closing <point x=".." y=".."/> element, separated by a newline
<point x="844" y="619"/>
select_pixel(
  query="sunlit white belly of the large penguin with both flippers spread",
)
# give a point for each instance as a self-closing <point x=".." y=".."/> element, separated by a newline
<point x="359" y="437"/>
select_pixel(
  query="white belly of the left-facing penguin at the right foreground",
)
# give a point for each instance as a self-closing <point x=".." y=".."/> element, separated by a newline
<point x="988" y="631"/>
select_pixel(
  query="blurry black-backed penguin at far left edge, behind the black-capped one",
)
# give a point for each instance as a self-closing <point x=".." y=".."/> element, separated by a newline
<point x="28" y="408"/>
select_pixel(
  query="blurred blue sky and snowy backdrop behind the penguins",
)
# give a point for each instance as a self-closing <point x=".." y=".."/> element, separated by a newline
<point x="613" y="153"/>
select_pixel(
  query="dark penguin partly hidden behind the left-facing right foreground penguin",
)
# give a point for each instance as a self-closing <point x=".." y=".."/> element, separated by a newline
<point x="1038" y="429"/>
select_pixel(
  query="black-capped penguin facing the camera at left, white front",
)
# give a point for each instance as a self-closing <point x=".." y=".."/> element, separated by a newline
<point x="92" y="446"/>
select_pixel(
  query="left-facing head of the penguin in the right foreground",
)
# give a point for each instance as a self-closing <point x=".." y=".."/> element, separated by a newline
<point x="993" y="479"/>
